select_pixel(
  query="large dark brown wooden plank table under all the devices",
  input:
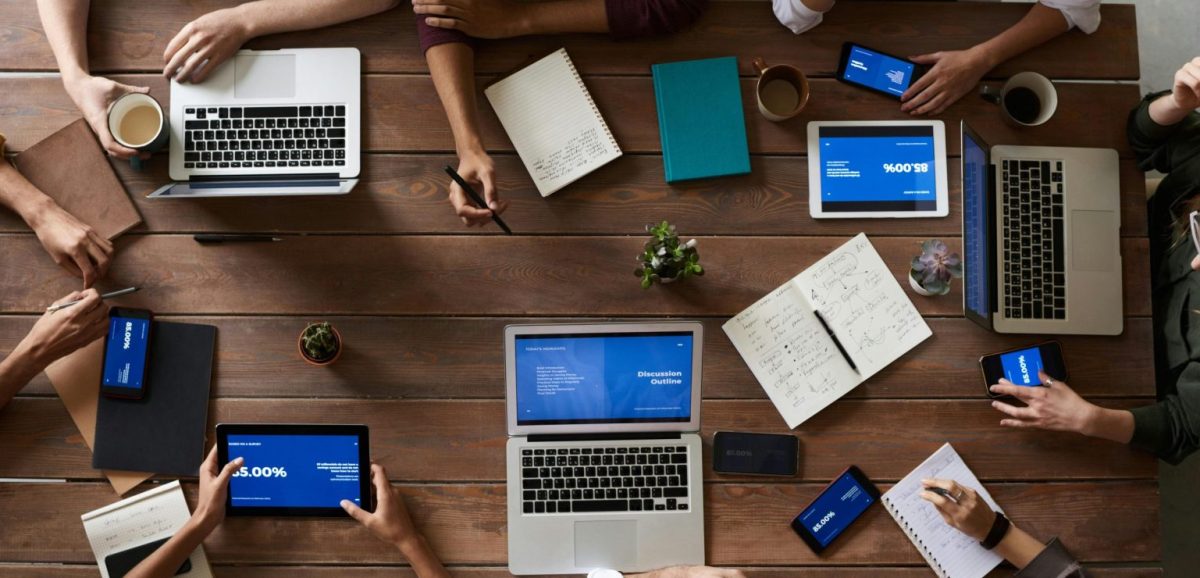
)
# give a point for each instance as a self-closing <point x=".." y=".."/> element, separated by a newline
<point x="422" y="300"/>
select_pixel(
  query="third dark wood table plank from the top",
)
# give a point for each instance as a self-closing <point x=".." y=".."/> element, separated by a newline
<point x="409" y="195"/>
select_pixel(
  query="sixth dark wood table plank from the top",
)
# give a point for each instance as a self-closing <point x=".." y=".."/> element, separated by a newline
<point x="415" y="439"/>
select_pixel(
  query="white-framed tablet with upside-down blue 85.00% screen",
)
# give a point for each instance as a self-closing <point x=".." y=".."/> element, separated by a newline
<point x="872" y="170"/>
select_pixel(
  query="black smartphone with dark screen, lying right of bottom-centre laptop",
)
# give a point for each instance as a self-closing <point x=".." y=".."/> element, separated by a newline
<point x="769" y="455"/>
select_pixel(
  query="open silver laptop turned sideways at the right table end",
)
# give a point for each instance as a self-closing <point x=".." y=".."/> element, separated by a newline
<point x="1041" y="234"/>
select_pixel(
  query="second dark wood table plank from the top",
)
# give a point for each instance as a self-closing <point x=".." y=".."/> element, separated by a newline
<point x="404" y="115"/>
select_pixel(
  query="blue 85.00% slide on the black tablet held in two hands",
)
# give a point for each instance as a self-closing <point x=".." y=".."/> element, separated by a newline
<point x="296" y="471"/>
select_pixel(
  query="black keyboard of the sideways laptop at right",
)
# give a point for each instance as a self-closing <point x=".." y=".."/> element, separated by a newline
<point x="1035" y="268"/>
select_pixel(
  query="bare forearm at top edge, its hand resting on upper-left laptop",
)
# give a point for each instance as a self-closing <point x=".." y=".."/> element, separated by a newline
<point x="267" y="17"/>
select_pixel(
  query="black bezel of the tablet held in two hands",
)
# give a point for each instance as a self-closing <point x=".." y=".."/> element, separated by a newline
<point x="225" y="430"/>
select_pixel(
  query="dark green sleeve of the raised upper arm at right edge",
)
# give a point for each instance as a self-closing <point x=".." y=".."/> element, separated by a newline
<point x="1157" y="147"/>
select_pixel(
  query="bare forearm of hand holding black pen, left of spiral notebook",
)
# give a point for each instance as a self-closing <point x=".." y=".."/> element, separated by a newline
<point x="453" y="69"/>
